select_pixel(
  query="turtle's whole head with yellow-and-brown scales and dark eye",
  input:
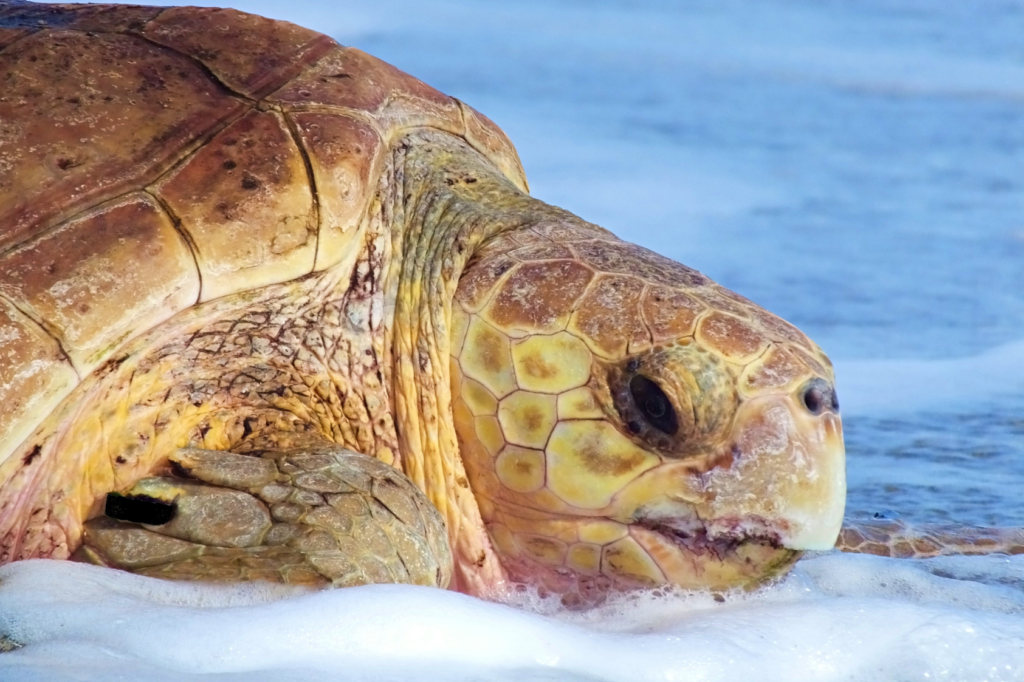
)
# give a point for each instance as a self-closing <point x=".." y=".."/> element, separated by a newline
<point x="627" y="422"/>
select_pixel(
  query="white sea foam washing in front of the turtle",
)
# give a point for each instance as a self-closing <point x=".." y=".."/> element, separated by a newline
<point x="835" y="618"/>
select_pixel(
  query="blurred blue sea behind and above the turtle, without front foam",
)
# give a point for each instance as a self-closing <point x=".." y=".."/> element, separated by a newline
<point x="856" y="166"/>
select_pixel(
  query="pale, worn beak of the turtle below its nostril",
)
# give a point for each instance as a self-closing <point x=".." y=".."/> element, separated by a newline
<point x="788" y="471"/>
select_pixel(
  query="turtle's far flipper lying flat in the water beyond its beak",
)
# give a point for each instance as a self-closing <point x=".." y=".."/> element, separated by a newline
<point x="902" y="540"/>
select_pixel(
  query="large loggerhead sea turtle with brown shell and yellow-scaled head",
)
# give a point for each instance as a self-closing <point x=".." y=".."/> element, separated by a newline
<point x="273" y="310"/>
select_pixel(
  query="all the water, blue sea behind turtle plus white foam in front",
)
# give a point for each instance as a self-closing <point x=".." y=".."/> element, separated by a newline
<point x="856" y="166"/>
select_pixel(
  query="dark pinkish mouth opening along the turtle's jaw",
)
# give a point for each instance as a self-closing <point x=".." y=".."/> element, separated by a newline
<point x="719" y="539"/>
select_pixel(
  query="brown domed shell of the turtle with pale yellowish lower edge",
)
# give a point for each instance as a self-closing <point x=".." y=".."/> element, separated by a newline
<point x="152" y="159"/>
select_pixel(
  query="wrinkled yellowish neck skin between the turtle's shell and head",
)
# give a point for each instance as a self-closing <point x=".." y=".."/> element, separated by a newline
<point x="446" y="202"/>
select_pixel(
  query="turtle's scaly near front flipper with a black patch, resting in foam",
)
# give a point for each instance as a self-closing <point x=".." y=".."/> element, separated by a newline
<point x="324" y="517"/>
